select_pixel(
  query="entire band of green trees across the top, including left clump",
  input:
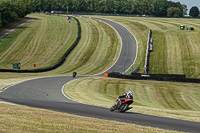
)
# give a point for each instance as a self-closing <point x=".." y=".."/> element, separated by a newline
<point x="11" y="10"/>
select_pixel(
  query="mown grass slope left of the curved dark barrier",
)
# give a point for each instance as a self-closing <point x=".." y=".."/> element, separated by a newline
<point x="40" y="39"/>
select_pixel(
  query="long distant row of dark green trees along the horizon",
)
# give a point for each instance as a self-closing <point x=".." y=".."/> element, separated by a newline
<point x="148" y="7"/>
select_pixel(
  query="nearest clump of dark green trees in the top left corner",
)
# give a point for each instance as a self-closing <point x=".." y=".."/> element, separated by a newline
<point x="12" y="10"/>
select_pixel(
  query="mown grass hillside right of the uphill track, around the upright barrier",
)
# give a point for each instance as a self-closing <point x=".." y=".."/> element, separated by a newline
<point x="175" y="51"/>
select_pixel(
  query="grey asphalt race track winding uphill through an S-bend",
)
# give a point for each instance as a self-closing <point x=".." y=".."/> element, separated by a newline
<point x="47" y="93"/>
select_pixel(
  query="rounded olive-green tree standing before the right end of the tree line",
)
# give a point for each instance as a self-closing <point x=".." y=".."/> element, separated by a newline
<point x="174" y="12"/>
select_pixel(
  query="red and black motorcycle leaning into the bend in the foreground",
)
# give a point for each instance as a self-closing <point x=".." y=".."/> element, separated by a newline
<point x="124" y="106"/>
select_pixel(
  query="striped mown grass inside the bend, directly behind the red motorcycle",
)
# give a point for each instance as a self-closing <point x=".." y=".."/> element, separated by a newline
<point x="175" y="100"/>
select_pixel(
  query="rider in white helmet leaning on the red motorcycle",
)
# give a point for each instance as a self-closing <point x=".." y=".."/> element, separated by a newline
<point x="122" y="98"/>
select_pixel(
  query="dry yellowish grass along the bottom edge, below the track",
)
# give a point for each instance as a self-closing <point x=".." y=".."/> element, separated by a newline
<point x="18" y="119"/>
